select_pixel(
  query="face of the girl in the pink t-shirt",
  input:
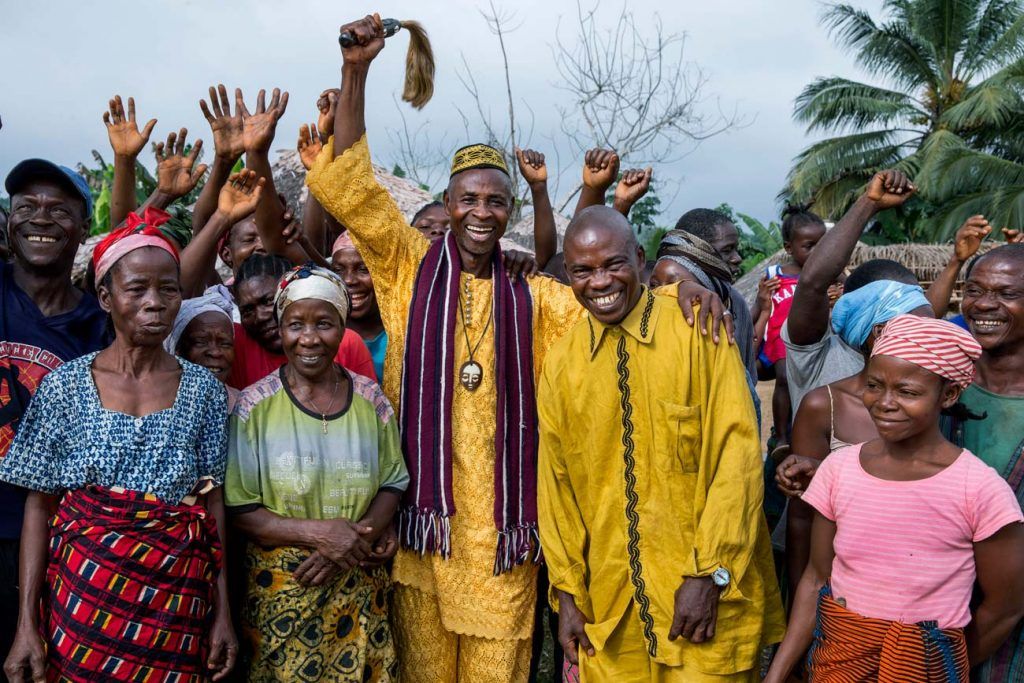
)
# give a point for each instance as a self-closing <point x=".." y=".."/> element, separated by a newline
<point x="905" y="400"/>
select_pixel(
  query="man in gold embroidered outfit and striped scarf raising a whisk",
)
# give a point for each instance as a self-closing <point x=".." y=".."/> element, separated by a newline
<point x="465" y="591"/>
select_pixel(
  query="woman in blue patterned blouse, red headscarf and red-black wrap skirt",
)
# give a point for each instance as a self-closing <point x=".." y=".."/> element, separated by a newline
<point x="123" y="453"/>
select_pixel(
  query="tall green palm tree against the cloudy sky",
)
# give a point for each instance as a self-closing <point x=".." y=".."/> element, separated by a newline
<point x="949" y="110"/>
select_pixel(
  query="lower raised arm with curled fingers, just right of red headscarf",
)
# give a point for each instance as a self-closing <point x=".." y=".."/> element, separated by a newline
<point x="237" y="200"/>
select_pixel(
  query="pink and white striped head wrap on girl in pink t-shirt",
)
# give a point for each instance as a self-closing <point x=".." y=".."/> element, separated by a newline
<point x="938" y="347"/>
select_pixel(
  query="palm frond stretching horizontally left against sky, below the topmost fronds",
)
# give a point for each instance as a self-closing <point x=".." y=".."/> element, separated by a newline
<point x="836" y="104"/>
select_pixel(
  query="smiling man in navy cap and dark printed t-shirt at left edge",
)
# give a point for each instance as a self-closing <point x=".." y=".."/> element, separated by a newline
<point x="45" y="322"/>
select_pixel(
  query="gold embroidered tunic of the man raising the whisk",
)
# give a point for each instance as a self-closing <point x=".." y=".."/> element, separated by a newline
<point x="473" y="602"/>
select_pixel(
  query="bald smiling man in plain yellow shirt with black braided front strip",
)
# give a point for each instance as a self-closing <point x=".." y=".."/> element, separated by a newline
<point x="650" y="483"/>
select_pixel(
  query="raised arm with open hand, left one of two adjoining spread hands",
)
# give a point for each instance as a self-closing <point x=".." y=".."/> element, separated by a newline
<point x="228" y="145"/>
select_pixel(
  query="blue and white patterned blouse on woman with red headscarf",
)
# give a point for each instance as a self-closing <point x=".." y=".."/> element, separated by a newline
<point x="68" y="440"/>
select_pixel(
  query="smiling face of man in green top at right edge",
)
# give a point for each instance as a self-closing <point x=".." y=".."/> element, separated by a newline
<point x="994" y="305"/>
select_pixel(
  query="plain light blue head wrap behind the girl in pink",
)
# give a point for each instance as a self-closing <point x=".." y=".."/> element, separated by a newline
<point x="856" y="314"/>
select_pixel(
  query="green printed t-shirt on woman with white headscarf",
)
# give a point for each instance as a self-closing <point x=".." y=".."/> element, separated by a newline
<point x="280" y="458"/>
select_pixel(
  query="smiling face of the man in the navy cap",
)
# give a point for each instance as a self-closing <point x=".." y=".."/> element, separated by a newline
<point x="47" y="227"/>
